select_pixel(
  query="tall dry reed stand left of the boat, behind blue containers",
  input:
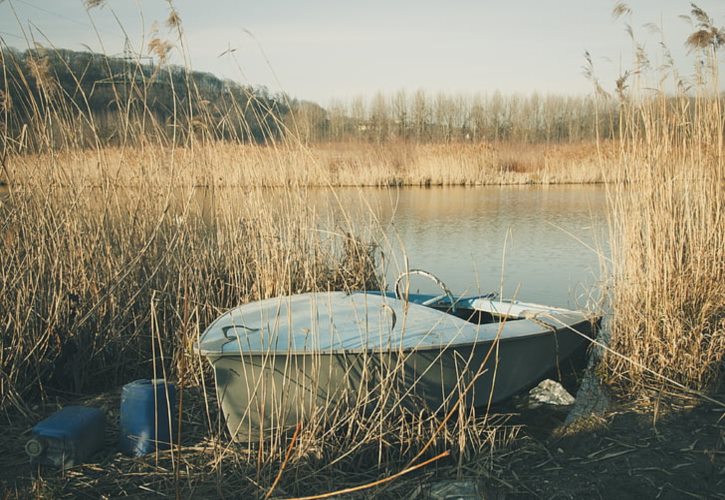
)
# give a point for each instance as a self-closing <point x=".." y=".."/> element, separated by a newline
<point x="95" y="237"/>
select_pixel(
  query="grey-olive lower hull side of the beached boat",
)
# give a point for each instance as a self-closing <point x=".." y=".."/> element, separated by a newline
<point x="261" y="394"/>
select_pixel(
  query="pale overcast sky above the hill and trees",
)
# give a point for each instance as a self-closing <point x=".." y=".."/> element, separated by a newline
<point x="321" y="50"/>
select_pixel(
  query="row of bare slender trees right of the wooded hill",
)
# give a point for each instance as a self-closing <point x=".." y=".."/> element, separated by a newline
<point x="425" y="117"/>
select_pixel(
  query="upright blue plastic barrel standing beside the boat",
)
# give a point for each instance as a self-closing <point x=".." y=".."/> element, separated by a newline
<point x="148" y="416"/>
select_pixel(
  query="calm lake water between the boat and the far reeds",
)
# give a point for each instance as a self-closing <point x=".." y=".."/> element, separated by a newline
<point x="535" y="238"/>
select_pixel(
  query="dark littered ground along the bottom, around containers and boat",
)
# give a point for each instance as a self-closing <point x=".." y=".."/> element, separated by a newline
<point x="671" y="446"/>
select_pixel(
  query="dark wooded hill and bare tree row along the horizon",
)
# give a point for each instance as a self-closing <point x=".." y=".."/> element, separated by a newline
<point x="114" y="100"/>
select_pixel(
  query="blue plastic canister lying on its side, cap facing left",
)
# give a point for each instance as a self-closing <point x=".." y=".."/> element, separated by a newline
<point x="68" y="437"/>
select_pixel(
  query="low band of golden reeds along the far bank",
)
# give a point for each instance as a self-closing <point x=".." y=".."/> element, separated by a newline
<point x="349" y="164"/>
